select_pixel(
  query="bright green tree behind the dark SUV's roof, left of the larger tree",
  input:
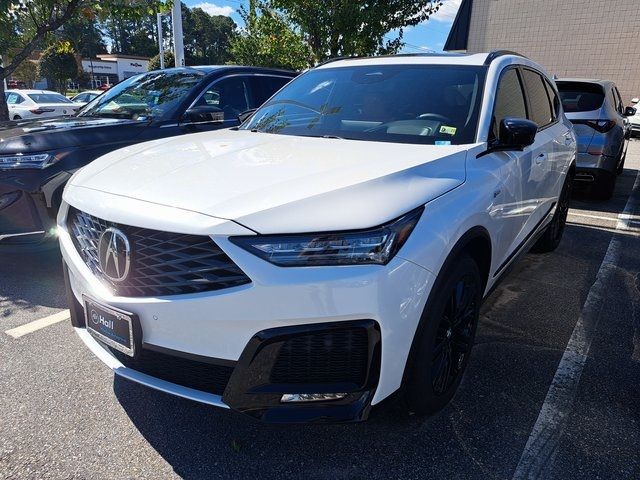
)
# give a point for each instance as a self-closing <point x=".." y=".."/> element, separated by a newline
<point x="269" y="40"/>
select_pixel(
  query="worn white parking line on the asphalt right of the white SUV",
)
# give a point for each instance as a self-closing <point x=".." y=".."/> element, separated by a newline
<point x="544" y="439"/>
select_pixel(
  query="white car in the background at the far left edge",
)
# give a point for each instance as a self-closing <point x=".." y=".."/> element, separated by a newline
<point x="27" y="104"/>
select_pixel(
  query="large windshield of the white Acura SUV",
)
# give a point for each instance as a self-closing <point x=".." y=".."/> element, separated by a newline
<point x="428" y="104"/>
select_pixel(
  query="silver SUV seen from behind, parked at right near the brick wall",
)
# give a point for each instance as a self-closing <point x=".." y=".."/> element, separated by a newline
<point x="600" y="122"/>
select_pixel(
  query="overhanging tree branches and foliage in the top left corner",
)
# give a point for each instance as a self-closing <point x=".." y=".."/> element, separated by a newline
<point x="24" y="24"/>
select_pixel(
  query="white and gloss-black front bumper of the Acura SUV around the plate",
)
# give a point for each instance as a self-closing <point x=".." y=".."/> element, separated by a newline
<point x="236" y="327"/>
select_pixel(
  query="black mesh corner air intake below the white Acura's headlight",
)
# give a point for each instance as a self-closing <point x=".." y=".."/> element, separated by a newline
<point x="332" y="356"/>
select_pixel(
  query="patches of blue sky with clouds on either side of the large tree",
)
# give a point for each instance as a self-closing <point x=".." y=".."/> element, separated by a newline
<point x="430" y="35"/>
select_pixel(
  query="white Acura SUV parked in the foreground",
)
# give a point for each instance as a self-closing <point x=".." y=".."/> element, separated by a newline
<point x="332" y="250"/>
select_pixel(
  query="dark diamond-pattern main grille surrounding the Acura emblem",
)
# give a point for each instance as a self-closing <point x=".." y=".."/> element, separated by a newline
<point x="162" y="263"/>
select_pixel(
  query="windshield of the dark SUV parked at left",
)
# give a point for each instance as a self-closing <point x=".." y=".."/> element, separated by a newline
<point x="154" y="95"/>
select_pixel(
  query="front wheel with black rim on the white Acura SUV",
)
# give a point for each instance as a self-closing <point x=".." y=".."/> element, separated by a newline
<point x="444" y="343"/>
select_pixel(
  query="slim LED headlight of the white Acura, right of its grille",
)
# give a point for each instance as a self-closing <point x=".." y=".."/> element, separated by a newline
<point x="372" y="246"/>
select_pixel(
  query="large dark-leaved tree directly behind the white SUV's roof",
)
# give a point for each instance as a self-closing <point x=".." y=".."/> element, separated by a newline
<point x="354" y="27"/>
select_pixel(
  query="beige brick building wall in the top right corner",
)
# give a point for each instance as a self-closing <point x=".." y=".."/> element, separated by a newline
<point x="570" y="38"/>
